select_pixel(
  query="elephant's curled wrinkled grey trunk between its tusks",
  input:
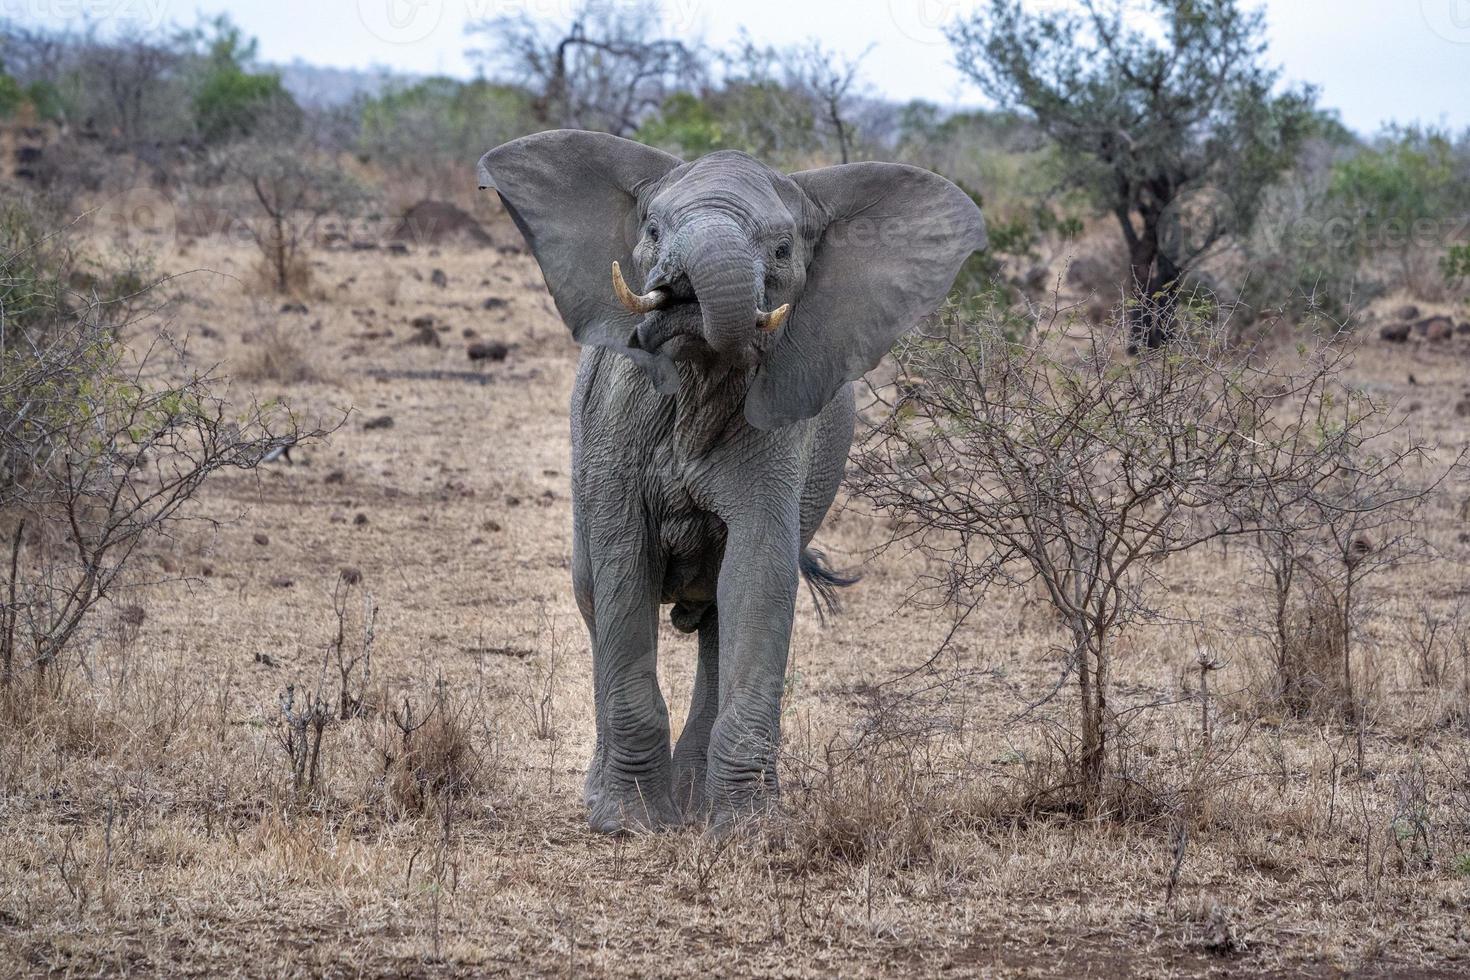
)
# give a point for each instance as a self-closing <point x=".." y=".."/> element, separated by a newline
<point x="727" y="278"/>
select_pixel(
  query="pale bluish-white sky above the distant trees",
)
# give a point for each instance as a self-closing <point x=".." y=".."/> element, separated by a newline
<point x="1375" y="61"/>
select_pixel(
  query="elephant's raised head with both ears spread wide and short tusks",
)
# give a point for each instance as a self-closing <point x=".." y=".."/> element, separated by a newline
<point x="806" y="278"/>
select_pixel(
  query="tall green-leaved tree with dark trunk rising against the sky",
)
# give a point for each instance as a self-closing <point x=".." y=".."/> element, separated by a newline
<point x="1175" y="129"/>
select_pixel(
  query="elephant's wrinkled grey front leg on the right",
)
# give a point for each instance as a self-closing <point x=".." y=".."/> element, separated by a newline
<point x="758" y="596"/>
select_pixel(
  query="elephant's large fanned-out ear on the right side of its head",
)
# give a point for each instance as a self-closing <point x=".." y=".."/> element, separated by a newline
<point x="893" y="242"/>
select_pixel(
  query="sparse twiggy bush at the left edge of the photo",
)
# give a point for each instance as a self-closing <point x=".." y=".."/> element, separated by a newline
<point x="102" y="444"/>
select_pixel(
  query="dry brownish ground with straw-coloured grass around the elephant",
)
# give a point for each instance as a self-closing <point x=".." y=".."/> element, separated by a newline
<point x="149" y="822"/>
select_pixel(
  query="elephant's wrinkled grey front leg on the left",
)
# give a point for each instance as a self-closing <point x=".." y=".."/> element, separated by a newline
<point x="630" y="782"/>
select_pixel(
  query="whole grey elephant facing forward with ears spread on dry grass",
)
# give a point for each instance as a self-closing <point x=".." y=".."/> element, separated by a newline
<point x="712" y="419"/>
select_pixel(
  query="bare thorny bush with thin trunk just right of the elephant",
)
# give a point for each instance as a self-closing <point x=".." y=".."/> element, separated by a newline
<point x="1052" y="461"/>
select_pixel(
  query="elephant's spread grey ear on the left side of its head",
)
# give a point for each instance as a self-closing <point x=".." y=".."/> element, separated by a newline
<point x="576" y="199"/>
